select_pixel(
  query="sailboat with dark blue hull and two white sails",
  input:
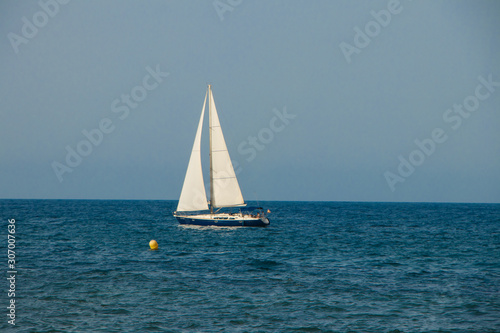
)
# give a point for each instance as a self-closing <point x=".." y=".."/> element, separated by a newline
<point x="225" y="193"/>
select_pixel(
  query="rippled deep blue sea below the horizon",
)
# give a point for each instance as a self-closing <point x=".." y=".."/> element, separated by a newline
<point x="86" y="266"/>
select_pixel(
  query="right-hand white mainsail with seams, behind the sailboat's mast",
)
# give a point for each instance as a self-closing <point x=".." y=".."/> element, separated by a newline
<point x="224" y="191"/>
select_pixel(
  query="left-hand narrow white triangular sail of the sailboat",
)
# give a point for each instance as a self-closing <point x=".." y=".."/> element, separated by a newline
<point x="193" y="195"/>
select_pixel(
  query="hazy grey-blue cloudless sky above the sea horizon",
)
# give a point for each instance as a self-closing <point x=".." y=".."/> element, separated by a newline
<point x="318" y="100"/>
